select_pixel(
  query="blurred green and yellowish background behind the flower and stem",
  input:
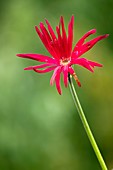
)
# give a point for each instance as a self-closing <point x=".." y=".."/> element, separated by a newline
<point x="40" y="129"/>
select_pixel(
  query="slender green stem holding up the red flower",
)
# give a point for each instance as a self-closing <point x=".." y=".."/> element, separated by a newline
<point x="86" y="126"/>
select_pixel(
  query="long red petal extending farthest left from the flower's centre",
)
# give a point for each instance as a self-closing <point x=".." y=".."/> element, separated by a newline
<point x="38" y="57"/>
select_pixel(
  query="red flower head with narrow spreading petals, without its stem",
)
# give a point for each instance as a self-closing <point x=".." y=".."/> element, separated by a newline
<point x="60" y="48"/>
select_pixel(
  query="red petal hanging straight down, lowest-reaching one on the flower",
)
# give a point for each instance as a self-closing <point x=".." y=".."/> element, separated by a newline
<point x="57" y="80"/>
